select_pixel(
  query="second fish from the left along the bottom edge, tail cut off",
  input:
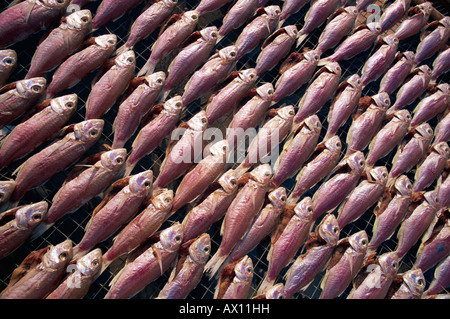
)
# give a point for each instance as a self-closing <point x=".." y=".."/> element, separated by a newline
<point x="77" y="284"/>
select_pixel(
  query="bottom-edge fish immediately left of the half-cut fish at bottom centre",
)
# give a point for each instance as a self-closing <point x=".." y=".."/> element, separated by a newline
<point x="188" y="273"/>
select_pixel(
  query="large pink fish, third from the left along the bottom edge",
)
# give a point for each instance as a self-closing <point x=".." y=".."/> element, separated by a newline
<point x="148" y="266"/>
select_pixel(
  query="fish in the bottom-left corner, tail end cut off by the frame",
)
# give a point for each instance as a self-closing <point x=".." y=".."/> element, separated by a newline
<point x="43" y="277"/>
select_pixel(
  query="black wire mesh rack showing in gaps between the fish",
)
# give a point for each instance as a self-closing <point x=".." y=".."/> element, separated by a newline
<point x="72" y="226"/>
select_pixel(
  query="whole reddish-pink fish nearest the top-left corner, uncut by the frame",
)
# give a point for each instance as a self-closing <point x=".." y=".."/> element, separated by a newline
<point x="61" y="43"/>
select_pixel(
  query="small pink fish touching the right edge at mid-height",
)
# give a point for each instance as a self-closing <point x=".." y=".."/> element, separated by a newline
<point x="431" y="167"/>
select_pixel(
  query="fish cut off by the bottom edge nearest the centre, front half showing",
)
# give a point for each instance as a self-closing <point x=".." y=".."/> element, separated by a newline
<point x="235" y="280"/>
